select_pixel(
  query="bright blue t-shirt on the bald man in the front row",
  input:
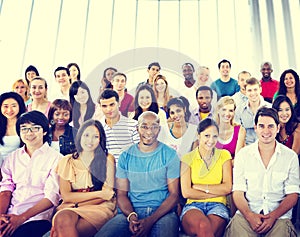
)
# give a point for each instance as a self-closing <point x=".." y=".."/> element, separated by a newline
<point x="148" y="174"/>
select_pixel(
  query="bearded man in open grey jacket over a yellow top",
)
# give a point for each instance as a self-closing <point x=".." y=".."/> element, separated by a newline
<point x="204" y="97"/>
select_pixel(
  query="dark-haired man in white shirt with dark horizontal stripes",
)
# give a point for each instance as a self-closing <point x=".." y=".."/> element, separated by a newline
<point x="121" y="132"/>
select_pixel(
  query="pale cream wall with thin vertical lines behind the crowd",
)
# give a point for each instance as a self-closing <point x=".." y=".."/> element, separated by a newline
<point x="51" y="33"/>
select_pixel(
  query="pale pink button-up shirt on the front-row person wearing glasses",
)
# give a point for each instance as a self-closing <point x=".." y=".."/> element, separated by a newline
<point x="30" y="179"/>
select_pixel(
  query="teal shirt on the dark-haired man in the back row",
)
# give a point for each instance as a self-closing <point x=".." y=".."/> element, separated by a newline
<point x="225" y="88"/>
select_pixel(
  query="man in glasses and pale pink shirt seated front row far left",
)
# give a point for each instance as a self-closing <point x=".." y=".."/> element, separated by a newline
<point x="29" y="190"/>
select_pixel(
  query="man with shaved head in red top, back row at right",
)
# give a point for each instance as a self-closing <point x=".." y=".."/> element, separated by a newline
<point x="268" y="84"/>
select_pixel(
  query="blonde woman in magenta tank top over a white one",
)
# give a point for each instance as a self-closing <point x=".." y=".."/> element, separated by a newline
<point x="232" y="135"/>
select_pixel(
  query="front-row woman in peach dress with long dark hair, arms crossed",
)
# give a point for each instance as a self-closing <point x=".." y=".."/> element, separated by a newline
<point x="86" y="185"/>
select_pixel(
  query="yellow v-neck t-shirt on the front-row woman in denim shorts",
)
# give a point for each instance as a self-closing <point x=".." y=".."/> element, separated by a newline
<point x="201" y="175"/>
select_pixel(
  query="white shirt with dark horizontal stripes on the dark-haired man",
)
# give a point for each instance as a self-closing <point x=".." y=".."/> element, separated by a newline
<point x="122" y="135"/>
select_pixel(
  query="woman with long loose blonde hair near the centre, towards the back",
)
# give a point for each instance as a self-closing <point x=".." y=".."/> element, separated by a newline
<point x="161" y="91"/>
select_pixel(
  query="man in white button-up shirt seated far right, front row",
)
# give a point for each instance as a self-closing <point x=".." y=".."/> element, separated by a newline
<point x="265" y="183"/>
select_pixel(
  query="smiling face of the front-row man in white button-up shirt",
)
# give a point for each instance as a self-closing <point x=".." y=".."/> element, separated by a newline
<point x="266" y="129"/>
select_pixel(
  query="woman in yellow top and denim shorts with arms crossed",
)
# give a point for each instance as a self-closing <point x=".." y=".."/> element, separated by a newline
<point x="206" y="179"/>
